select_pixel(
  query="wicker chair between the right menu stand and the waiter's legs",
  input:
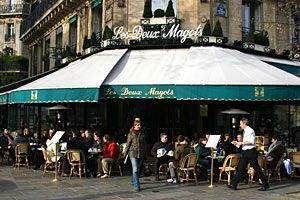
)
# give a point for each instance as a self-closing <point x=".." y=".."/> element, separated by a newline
<point x="230" y="164"/>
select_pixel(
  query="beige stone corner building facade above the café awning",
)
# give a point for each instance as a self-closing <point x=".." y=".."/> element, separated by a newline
<point x="53" y="25"/>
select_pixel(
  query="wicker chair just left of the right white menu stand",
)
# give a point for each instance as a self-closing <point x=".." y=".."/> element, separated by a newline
<point x="187" y="165"/>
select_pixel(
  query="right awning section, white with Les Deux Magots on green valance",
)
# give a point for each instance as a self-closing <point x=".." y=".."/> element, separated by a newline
<point x="200" y="73"/>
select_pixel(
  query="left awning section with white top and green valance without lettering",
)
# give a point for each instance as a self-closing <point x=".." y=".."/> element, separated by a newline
<point x="78" y="82"/>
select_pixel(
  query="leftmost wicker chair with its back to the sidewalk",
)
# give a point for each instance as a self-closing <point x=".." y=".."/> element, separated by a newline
<point x="22" y="152"/>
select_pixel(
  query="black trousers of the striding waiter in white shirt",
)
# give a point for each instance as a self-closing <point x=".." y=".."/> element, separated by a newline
<point x="246" y="157"/>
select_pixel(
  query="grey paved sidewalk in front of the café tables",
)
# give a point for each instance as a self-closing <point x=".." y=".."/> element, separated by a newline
<point x="29" y="184"/>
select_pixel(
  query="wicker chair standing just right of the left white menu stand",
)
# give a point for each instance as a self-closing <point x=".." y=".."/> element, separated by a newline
<point x="77" y="160"/>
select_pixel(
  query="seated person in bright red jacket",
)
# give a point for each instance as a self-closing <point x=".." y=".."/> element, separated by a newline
<point x="111" y="152"/>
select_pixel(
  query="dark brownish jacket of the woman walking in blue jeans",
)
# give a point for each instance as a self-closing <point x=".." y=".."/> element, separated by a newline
<point x="136" y="146"/>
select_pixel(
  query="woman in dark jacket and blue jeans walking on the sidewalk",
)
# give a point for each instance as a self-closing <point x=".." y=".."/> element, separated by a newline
<point x="136" y="149"/>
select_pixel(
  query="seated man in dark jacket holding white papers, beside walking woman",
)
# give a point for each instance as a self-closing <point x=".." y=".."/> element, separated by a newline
<point x="162" y="151"/>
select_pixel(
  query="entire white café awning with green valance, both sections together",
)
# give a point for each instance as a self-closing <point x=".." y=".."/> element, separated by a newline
<point x="199" y="73"/>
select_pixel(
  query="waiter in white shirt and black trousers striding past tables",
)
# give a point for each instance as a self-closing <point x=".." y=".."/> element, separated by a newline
<point x="249" y="155"/>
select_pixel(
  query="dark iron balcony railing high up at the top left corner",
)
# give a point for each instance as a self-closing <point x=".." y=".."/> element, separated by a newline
<point x="37" y="13"/>
